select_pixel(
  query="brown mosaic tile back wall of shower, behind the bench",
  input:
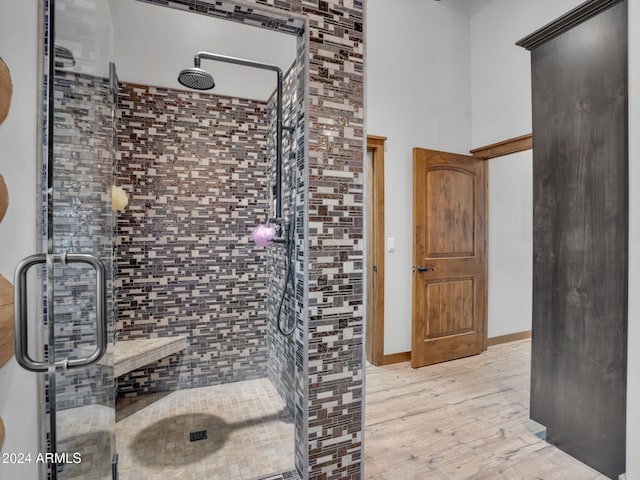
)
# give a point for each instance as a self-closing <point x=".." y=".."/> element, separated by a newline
<point x="194" y="165"/>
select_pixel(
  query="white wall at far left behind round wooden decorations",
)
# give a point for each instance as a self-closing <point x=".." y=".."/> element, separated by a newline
<point x="18" y="28"/>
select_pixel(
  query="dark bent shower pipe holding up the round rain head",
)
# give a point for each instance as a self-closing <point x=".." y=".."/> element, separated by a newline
<point x="279" y="127"/>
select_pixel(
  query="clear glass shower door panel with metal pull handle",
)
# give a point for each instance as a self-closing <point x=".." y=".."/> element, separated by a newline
<point x="79" y="236"/>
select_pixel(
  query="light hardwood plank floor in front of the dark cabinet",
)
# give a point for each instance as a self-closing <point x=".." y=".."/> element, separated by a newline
<point x="460" y="420"/>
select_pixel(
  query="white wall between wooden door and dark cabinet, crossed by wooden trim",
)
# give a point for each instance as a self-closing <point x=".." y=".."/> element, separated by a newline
<point x="501" y="109"/>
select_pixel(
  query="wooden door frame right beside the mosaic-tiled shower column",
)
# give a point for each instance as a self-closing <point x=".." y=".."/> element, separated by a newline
<point x="374" y="346"/>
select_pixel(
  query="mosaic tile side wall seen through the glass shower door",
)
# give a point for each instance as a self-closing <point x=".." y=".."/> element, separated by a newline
<point x="82" y="220"/>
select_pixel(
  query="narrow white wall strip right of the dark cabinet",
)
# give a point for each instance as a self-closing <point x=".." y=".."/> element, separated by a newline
<point x="633" y="362"/>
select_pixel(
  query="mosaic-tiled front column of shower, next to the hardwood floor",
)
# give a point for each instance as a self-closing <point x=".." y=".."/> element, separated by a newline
<point x="330" y="447"/>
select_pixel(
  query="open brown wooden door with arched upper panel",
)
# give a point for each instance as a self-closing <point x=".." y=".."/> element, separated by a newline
<point x="449" y="252"/>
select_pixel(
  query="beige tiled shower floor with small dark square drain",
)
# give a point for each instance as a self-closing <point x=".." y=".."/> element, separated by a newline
<point x="249" y="433"/>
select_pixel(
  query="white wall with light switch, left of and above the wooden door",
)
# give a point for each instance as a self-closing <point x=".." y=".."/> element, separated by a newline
<point x="418" y="95"/>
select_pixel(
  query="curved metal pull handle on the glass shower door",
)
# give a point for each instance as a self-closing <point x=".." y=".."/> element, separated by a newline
<point x="21" y="321"/>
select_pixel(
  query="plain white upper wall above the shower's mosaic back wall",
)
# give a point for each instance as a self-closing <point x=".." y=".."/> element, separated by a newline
<point x="153" y="43"/>
